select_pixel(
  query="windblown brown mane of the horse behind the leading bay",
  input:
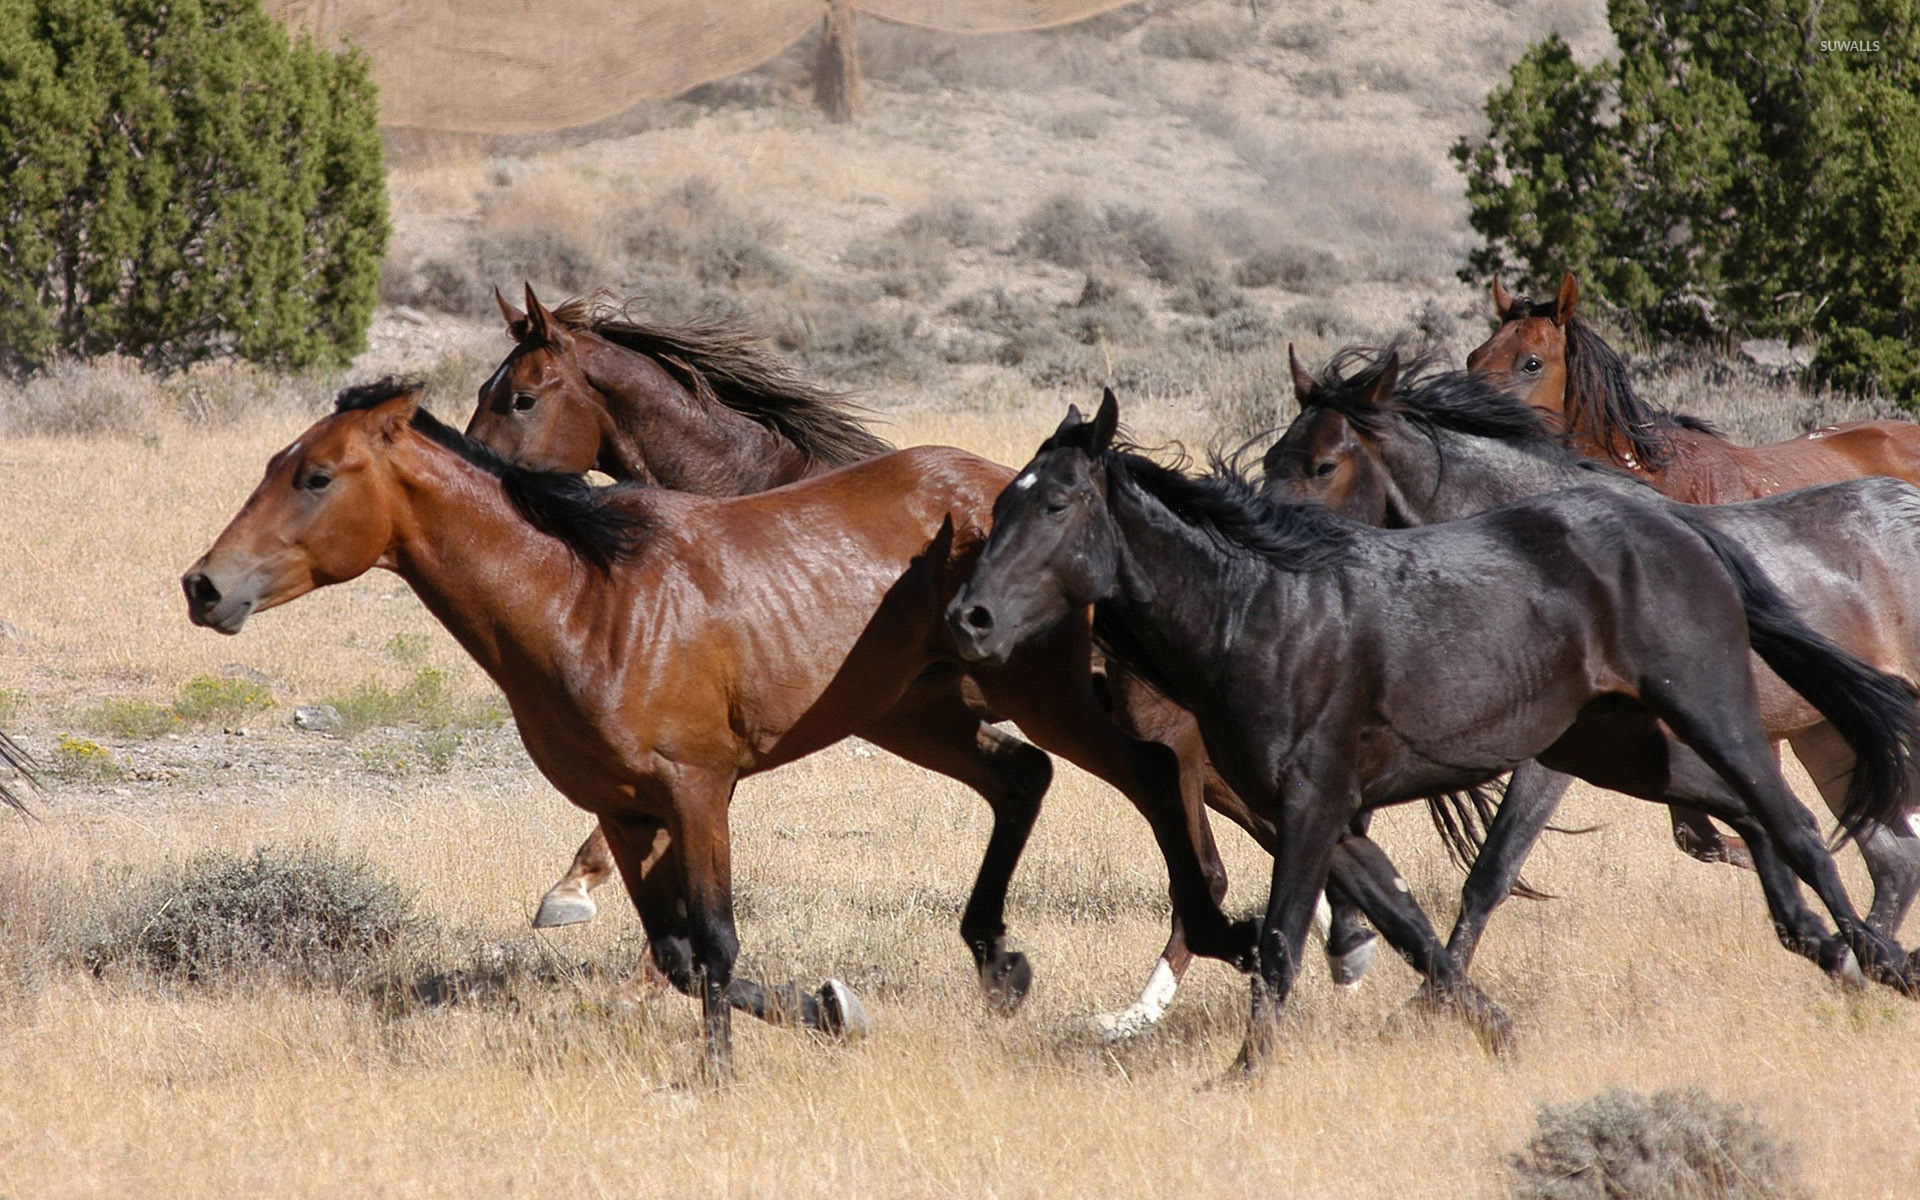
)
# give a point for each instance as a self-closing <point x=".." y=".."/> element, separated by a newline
<point x="723" y="360"/>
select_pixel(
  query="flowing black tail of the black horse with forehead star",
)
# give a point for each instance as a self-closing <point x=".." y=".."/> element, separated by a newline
<point x="1871" y="709"/>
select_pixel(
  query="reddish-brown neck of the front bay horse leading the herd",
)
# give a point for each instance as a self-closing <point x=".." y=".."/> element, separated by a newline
<point x="456" y="533"/>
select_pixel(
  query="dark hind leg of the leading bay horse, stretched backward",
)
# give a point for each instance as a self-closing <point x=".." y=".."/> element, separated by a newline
<point x="1047" y="690"/>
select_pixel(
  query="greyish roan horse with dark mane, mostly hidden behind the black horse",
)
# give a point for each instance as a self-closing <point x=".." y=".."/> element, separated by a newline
<point x="1441" y="446"/>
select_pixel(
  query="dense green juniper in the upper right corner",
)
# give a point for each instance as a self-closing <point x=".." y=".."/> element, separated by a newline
<point x="1739" y="168"/>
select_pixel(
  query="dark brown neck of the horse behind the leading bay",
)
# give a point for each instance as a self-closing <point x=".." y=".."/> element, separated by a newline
<point x="681" y="441"/>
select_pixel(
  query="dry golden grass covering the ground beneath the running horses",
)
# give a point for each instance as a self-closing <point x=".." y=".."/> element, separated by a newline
<point x="1652" y="972"/>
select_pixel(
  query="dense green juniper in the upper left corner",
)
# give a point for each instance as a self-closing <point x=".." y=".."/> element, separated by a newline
<point x="183" y="181"/>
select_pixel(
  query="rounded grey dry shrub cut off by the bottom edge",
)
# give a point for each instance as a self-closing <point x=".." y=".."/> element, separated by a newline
<point x="1675" y="1145"/>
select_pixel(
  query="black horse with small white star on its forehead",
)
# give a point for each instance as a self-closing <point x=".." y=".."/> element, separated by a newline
<point x="1337" y="669"/>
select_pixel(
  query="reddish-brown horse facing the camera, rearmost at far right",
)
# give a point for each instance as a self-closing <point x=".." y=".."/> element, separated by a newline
<point x="1547" y="356"/>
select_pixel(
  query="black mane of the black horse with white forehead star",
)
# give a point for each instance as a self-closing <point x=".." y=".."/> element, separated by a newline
<point x="1237" y="516"/>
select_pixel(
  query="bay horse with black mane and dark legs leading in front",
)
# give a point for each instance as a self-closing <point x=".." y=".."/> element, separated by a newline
<point x="660" y="646"/>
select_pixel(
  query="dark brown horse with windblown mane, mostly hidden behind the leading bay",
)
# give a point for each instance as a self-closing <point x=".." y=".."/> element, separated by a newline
<point x="708" y="410"/>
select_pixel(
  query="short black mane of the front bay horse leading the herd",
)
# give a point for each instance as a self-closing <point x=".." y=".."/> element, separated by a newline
<point x="562" y="506"/>
